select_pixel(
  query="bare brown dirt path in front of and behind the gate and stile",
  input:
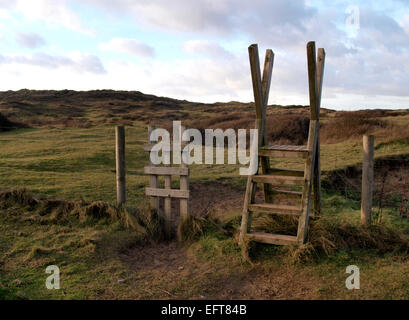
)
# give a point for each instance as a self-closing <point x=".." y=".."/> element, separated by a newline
<point x="168" y="271"/>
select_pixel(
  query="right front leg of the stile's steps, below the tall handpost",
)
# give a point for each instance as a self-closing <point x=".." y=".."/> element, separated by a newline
<point x="307" y="189"/>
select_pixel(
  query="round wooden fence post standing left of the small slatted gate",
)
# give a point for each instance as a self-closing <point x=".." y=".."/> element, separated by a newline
<point x="120" y="164"/>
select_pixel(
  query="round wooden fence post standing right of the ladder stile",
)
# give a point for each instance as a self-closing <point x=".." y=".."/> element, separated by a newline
<point x="367" y="178"/>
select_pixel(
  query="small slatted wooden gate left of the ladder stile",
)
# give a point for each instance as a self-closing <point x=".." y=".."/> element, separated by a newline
<point x="167" y="193"/>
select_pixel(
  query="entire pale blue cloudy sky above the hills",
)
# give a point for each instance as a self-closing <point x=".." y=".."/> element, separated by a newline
<point x="197" y="50"/>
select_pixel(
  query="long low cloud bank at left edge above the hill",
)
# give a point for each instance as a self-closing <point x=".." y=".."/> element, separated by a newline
<point x="78" y="62"/>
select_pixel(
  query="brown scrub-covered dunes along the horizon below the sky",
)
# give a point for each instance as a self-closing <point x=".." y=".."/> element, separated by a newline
<point x="285" y="125"/>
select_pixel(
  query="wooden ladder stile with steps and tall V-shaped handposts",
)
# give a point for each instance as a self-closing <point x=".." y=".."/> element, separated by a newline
<point x="308" y="179"/>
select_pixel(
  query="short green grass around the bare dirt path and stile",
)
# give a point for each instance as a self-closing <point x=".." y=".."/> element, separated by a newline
<point x="79" y="163"/>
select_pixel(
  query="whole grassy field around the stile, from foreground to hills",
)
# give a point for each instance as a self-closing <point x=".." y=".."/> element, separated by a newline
<point x="101" y="257"/>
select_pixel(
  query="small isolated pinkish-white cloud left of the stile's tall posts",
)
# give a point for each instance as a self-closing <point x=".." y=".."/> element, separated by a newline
<point x="131" y="46"/>
